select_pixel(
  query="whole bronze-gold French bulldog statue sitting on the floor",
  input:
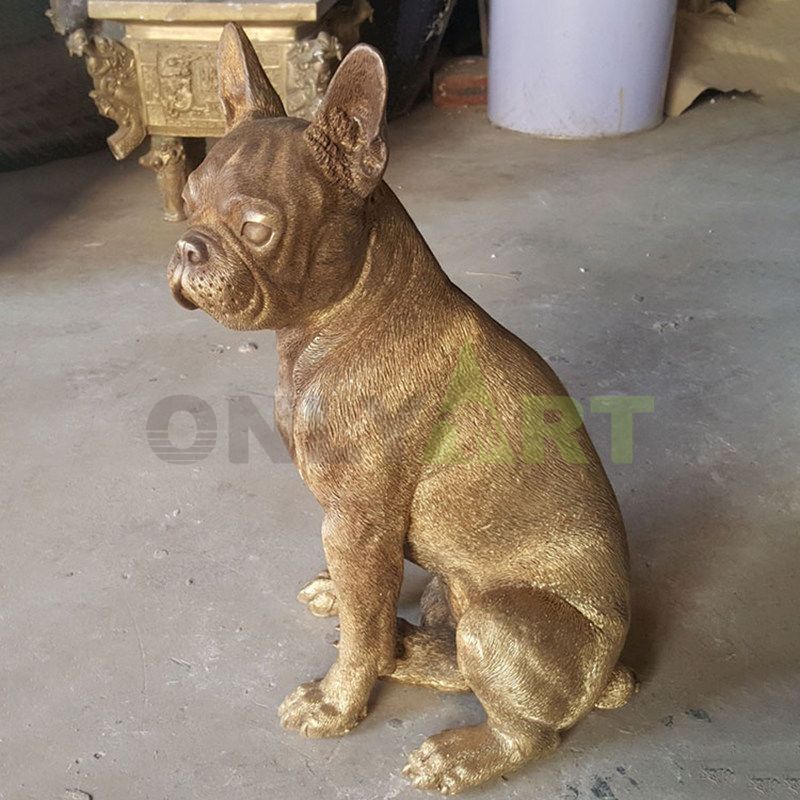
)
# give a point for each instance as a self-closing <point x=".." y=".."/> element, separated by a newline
<point x="415" y="420"/>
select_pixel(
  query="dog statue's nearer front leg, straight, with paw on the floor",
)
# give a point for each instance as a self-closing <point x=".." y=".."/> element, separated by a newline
<point x="365" y="559"/>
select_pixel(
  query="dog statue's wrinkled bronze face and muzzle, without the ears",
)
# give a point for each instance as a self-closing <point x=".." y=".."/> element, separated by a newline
<point x="270" y="241"/>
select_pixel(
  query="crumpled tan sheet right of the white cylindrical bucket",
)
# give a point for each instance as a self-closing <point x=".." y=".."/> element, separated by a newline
<point x="756" y="49"/>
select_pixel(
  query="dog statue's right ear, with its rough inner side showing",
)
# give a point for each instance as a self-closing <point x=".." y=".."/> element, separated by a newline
<point x="348" y="133"/>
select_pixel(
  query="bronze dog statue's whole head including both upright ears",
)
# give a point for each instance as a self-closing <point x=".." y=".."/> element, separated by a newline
<point x="278" y="208"/>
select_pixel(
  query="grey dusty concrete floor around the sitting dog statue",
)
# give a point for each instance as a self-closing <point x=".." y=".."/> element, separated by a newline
<point x="147" y="616"/>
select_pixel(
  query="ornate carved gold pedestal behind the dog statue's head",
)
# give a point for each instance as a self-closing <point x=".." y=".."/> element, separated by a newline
<point x="160" y="78"/>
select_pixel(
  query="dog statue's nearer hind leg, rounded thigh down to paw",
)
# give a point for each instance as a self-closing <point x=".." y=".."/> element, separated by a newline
<point x="537" y="665"/>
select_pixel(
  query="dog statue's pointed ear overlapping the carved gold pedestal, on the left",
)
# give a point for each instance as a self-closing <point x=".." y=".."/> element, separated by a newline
<point x="244" y="89"/>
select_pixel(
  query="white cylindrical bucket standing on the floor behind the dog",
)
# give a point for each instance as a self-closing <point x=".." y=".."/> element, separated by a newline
<point x="579" y="69"/>
